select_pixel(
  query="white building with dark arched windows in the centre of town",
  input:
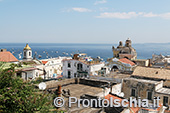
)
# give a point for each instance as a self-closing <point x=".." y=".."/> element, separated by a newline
<point x="81" y="66"/>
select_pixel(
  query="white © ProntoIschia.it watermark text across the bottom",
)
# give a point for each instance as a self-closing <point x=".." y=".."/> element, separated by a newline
<point x="132" y="102"/>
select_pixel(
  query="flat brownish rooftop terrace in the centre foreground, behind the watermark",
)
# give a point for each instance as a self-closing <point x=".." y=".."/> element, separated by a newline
<point x="77" y="90"/>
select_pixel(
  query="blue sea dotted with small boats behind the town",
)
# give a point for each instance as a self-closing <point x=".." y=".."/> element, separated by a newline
<point x="48" y="50"/>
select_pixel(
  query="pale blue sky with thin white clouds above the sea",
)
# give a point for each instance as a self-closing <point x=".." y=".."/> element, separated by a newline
<point x="84" y="21"/>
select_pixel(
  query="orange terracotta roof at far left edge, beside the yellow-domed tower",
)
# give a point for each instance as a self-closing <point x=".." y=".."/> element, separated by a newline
<point x="7" y="57"/>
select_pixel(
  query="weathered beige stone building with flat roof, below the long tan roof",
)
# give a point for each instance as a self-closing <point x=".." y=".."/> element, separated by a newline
<point x="146" y="89"/>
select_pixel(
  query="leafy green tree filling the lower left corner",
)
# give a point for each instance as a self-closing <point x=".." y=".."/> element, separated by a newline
<point x="17" y="96"/>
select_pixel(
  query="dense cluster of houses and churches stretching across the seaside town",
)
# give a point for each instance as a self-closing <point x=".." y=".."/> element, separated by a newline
<point x="126" y="75"/>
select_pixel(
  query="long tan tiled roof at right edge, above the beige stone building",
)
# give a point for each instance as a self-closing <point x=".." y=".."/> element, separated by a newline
<point x="148" y="72"/>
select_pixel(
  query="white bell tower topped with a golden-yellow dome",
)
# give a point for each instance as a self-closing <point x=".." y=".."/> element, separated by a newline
<point x="27" y="53"/>
